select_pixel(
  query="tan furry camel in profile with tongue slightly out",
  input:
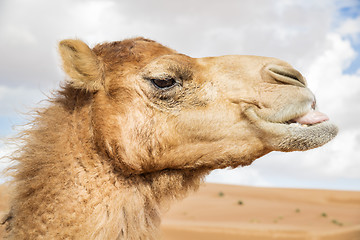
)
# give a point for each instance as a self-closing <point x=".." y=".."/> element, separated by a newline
<point x="137" y="125"/>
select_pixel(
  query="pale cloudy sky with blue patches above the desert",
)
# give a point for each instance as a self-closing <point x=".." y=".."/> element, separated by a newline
<point x="319" y="38"/>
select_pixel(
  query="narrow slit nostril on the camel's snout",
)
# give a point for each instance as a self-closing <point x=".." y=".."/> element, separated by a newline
<point x="286" y="75"/>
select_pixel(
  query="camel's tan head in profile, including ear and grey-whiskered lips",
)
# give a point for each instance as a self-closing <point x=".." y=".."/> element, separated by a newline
<point x="154" y="109"/>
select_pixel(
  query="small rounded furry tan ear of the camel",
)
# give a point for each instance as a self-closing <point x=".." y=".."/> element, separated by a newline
<point x="81" y="64"/>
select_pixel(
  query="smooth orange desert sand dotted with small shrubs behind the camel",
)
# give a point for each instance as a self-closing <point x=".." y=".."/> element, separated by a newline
<point x="225" y="212"/>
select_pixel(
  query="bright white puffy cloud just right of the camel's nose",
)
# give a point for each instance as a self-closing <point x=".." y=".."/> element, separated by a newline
<point x="326" y="78"/>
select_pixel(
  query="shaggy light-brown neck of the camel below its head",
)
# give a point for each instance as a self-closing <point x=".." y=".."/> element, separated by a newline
<point x="65" y="188"/>
